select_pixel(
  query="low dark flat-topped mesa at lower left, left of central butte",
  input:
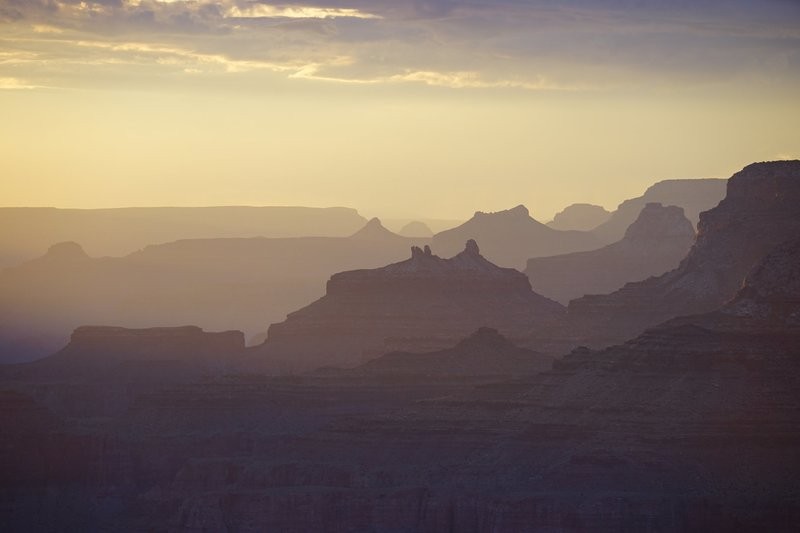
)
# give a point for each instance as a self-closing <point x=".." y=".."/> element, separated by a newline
<point x="151" y="343"/>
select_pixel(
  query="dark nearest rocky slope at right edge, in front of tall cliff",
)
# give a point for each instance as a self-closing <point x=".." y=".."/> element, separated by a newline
<point x="760" y="325"/>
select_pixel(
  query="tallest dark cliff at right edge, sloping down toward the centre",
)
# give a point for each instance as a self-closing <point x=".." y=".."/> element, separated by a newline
<point x="760" y="211"/>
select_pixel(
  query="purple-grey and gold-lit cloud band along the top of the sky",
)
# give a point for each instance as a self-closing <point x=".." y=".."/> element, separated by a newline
<point x="515" y="44"/>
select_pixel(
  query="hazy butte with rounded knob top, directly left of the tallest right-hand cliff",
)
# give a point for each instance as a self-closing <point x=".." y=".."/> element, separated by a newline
<point x="655" y="243"/>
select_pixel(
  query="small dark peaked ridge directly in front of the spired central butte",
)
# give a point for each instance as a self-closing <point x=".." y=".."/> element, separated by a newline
<point x="485" y="353"/>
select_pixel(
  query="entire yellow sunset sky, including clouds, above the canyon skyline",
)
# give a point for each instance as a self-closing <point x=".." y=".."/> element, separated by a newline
<point x="426" y="108"/>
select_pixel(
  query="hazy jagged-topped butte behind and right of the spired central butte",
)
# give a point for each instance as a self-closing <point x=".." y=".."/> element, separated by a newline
<point x="509" y="238"/>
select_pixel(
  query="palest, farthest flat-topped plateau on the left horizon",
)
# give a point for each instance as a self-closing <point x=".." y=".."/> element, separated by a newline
<point x="24" y="232"/>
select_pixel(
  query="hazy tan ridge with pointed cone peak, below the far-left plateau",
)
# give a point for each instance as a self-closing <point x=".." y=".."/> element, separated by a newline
<point x="217" y="284"/>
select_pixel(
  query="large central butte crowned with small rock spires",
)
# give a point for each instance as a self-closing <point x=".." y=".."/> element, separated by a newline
<point x="425" y="302"/>
